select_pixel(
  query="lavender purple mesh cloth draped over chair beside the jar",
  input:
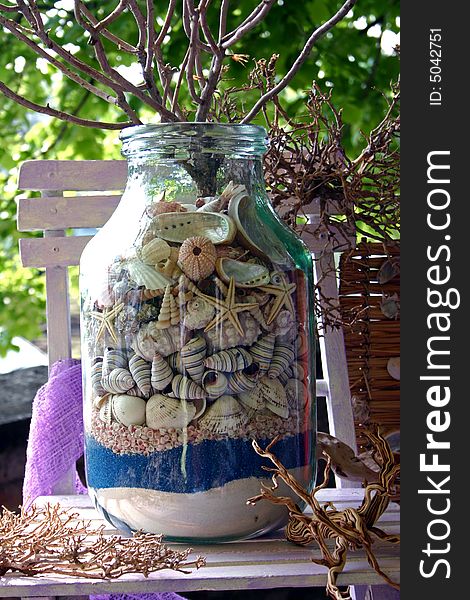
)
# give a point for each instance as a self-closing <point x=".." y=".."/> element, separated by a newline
<point x="56" y="443"/>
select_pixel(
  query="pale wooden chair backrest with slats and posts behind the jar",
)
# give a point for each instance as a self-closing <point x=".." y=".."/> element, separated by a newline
<point x="84" y="194"/>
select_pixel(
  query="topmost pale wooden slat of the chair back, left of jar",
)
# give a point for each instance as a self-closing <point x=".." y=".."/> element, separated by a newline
<point x="79" y="175"/>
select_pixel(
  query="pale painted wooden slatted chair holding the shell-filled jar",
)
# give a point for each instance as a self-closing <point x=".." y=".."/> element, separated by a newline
<point x="256" y="564"/>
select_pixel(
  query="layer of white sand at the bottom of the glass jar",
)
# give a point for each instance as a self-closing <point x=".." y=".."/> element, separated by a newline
<point x="218" y="514"/>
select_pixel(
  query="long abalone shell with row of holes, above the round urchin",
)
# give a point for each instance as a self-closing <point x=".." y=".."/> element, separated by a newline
<point x="176" y="227"/>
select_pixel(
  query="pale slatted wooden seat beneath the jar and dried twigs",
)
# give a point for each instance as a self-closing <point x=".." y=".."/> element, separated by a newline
<point x="266" y="562"/>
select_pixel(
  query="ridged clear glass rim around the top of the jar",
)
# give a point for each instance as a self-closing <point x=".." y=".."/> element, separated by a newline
<point x="216" y="138"/>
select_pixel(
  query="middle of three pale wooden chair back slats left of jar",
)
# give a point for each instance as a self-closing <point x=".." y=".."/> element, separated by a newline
<point x="62" y="213"/>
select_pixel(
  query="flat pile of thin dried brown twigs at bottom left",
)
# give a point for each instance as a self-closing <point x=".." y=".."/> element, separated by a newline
<point x="52" y="540"/>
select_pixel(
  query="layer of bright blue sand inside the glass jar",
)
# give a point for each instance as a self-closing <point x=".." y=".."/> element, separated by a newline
<point x="206" y="465"/>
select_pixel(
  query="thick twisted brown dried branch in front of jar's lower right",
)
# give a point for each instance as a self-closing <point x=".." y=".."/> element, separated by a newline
<point x="351" y="528"/>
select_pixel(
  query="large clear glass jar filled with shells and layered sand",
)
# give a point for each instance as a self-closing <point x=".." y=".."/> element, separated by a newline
<point x="197" y="337"/>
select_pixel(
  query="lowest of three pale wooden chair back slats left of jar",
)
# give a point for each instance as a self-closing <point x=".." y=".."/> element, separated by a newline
<point x="52" y="252"/>
